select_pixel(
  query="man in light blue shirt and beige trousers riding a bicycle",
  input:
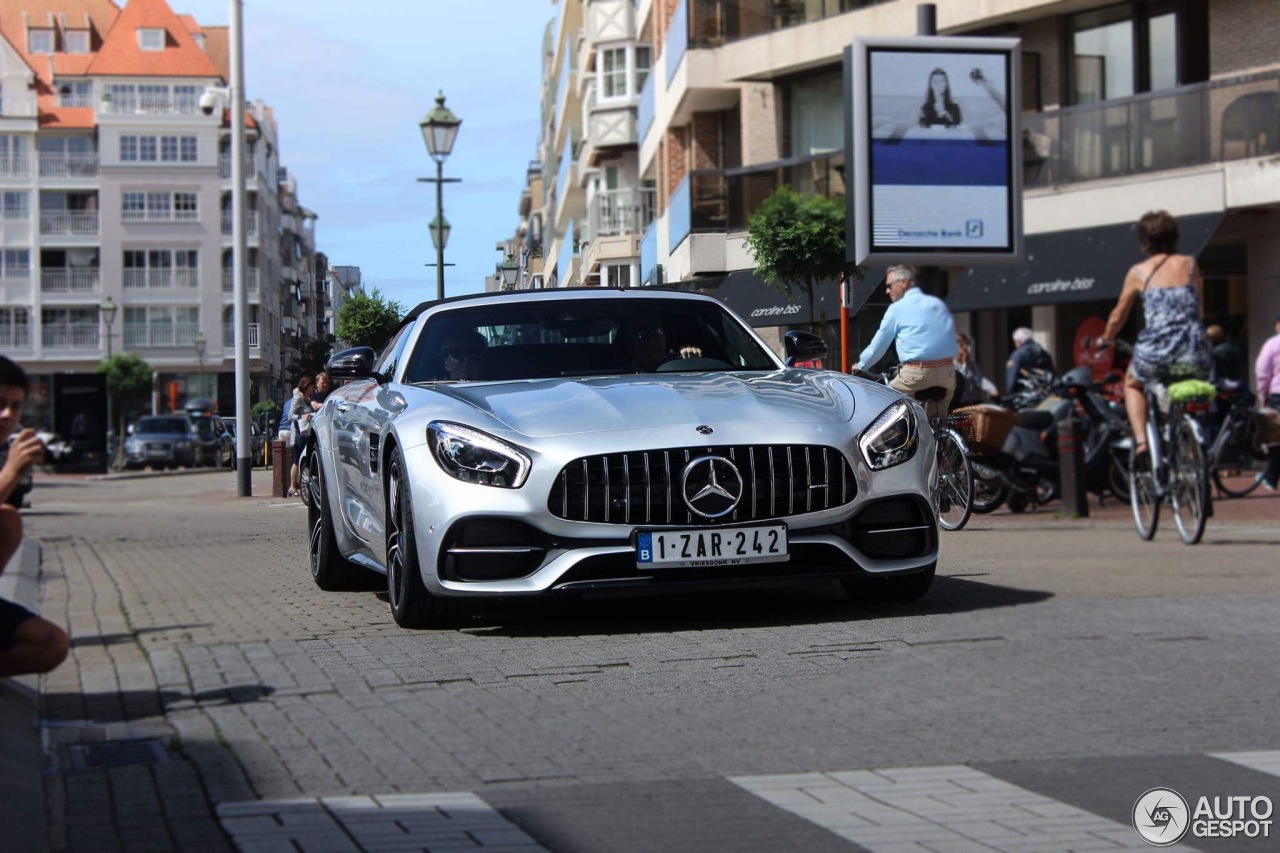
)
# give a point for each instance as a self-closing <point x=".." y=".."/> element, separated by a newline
<point x="922" y="329"/>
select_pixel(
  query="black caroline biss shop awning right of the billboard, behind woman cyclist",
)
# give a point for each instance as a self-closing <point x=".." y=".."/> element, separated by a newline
<point x="1069" y="267"/>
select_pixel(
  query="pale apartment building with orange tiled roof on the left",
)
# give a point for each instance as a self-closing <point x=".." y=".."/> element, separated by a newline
<point x="116" y="209"/>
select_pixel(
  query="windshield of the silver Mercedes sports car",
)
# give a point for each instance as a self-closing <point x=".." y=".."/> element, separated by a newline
<point x="542" y="340"/>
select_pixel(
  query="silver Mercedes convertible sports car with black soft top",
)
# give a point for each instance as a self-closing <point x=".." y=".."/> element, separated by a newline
<point x="584" y="440"/>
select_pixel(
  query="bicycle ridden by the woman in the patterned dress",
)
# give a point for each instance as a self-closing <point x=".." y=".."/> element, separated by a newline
<point x="1174" y="466"/>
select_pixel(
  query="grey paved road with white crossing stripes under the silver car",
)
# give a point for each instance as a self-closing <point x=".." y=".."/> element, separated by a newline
<point x="1058" y="670"/>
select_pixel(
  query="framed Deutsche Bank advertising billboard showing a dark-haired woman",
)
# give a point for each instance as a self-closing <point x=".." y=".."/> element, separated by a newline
<point x="935" y="142"/>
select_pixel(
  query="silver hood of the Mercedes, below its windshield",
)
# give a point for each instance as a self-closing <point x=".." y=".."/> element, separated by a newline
<point x="547" y="408"/>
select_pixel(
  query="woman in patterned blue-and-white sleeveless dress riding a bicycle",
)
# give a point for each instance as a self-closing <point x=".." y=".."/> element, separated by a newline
<point x="1174" y="340"/>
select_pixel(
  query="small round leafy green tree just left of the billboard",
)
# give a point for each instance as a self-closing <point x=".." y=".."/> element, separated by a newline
<point x="798" y="241"/>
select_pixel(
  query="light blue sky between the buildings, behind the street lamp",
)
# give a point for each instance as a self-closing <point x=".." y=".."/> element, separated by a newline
<point x="351" y="80"/>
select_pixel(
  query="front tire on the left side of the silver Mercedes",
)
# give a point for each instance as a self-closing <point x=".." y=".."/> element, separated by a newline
<point x="413" y="606"/>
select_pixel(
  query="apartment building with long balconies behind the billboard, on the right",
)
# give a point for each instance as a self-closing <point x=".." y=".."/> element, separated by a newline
<point x="1127" y="107"/>
